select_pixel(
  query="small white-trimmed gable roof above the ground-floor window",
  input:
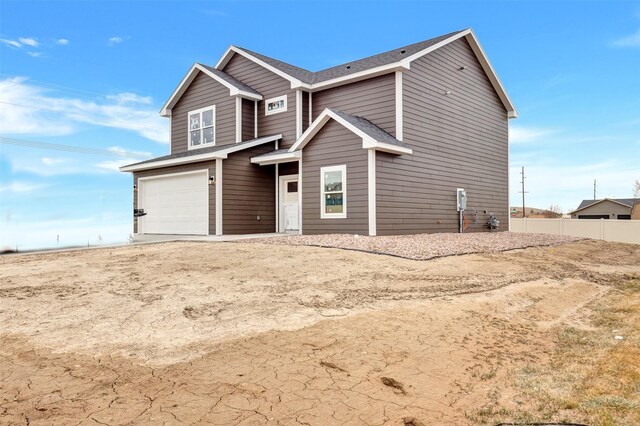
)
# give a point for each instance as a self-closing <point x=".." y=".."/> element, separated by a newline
<point x="372" y="136"/>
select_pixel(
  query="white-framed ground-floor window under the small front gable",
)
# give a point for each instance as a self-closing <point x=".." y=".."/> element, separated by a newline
<point x="333" y="181"/>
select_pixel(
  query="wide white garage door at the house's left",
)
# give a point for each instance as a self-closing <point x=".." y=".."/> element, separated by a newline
<point x="176" y="204"/>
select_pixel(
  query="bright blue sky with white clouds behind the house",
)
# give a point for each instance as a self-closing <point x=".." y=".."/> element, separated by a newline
<point x="94" y="75"/>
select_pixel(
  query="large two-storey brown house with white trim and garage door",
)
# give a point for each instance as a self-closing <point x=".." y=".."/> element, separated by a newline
<point x="377" y="146"/>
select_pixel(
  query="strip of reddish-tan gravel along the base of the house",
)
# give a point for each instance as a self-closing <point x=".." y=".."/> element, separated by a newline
<point x="423" y="246"/>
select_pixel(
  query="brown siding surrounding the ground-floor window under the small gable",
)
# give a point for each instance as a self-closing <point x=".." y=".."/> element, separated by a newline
<point x="334" y="145"/>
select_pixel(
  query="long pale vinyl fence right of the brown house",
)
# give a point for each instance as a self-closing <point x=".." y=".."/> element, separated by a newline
<point x="621" y="231"/>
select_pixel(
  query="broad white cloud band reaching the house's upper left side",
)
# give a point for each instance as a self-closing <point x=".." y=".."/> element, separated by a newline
<point x="27" y="109"/>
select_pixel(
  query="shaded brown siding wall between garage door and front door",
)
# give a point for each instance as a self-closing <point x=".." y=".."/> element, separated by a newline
<point x="248" y="191"/>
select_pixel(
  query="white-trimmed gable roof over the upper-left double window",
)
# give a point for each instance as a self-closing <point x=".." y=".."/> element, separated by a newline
<point x="236" y="87"/>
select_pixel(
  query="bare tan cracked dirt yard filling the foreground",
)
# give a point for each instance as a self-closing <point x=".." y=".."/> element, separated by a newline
<point x="197" y="333"/>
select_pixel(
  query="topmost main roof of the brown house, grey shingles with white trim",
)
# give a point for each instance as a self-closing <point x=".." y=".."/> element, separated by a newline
<point x="393" y="60"/>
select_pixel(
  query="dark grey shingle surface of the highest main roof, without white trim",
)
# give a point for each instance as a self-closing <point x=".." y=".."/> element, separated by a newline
<point x="353" y="67"/>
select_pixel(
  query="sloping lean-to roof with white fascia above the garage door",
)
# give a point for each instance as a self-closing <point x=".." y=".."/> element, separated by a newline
<point x="200" y="154"/>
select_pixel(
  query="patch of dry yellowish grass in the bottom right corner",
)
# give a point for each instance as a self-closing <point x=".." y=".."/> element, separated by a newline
<point x="593" y="375"/>
